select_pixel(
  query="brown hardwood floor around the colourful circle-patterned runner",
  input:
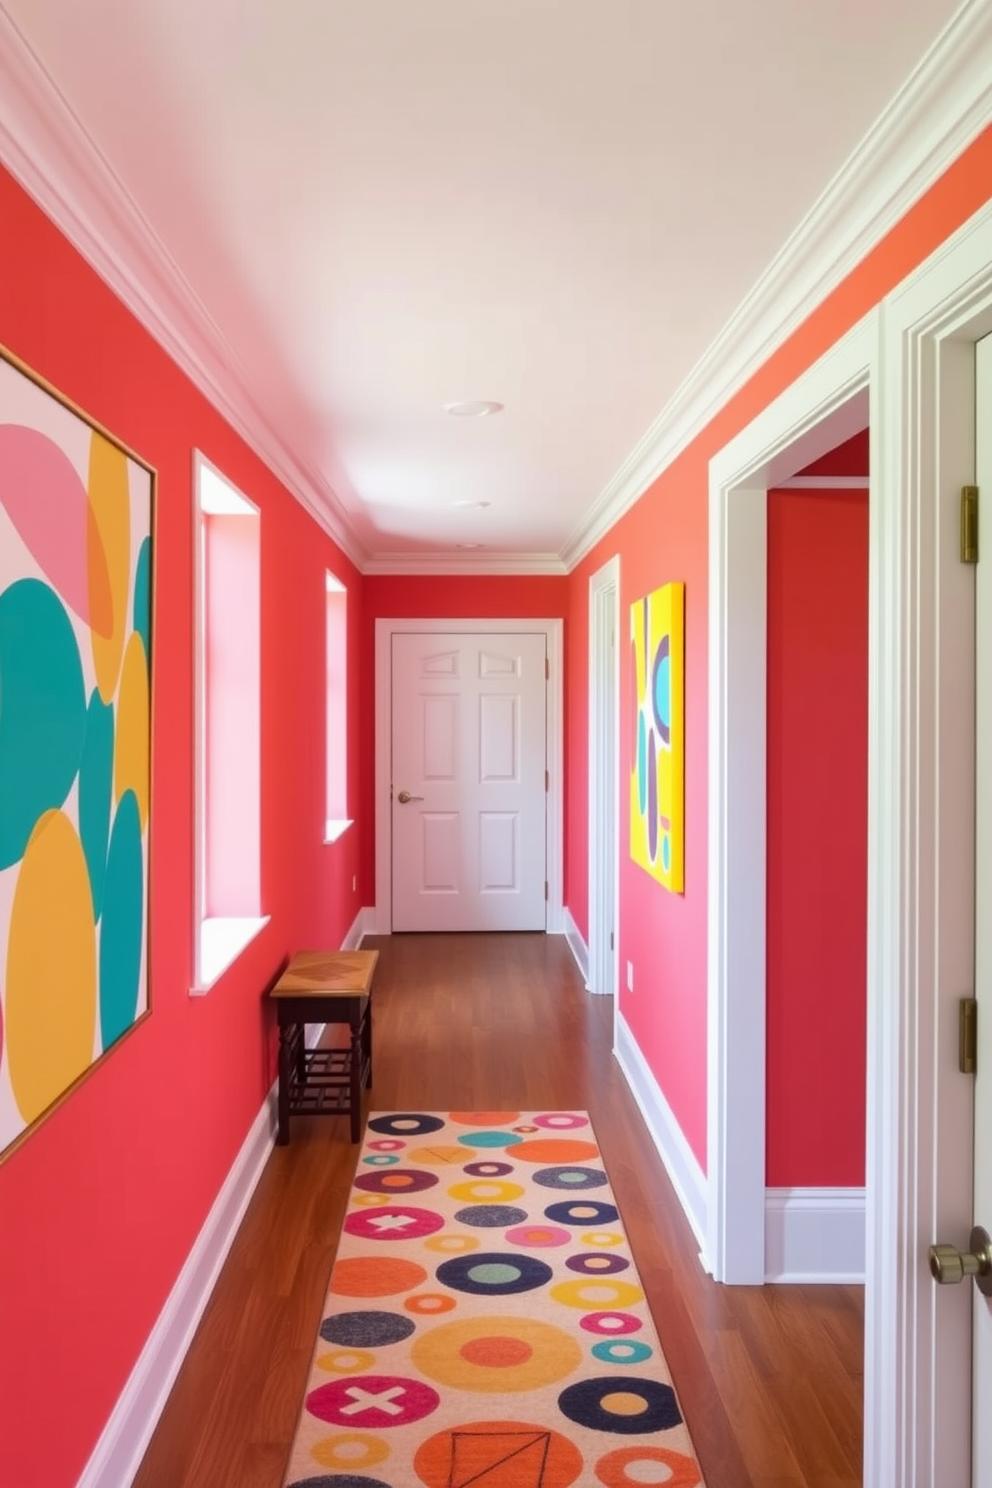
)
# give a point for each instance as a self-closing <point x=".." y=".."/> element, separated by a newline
<point x="771" y="1379"/>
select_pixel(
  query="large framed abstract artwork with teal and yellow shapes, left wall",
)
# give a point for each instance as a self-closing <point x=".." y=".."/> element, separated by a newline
<point x="75" y="746"/>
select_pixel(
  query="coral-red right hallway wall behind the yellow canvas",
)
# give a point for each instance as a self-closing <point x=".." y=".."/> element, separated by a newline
<point x="664" y="536"/>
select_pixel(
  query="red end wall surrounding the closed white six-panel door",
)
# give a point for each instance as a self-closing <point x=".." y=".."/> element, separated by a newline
<point x="457" y="597"/>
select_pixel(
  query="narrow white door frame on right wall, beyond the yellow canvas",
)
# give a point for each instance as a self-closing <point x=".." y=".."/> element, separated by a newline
<point x="605" y="776"/>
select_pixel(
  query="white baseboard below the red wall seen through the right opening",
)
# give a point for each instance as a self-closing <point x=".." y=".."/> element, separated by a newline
<point x="814" y="1236"/>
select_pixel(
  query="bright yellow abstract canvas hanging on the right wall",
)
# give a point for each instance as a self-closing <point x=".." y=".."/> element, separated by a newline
<point x="660" y="736"/>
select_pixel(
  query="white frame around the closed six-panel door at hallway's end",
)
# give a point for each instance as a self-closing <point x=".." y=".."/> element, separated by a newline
<point x="384" y="633"/>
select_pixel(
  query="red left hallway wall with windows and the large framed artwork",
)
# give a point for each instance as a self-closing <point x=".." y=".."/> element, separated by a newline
<point x="102" y="1205"/>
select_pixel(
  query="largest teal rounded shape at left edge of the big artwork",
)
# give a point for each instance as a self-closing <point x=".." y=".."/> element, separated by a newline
<point x="42" y="711"/>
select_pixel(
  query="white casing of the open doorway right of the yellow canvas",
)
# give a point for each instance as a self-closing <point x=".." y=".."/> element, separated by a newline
<point x="822" y="410"/>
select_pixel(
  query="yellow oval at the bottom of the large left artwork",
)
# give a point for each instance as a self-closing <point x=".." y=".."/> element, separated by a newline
<point x="51" y="986"/>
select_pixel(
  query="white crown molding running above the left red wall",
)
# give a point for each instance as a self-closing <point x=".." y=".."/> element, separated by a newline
<point x="48" y="151"/>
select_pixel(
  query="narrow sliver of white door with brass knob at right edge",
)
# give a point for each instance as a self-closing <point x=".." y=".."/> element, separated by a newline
<point x="982" y="1383"/>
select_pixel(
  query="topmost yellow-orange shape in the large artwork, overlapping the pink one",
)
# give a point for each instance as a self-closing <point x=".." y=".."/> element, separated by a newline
<point x="109" y="554"/>
